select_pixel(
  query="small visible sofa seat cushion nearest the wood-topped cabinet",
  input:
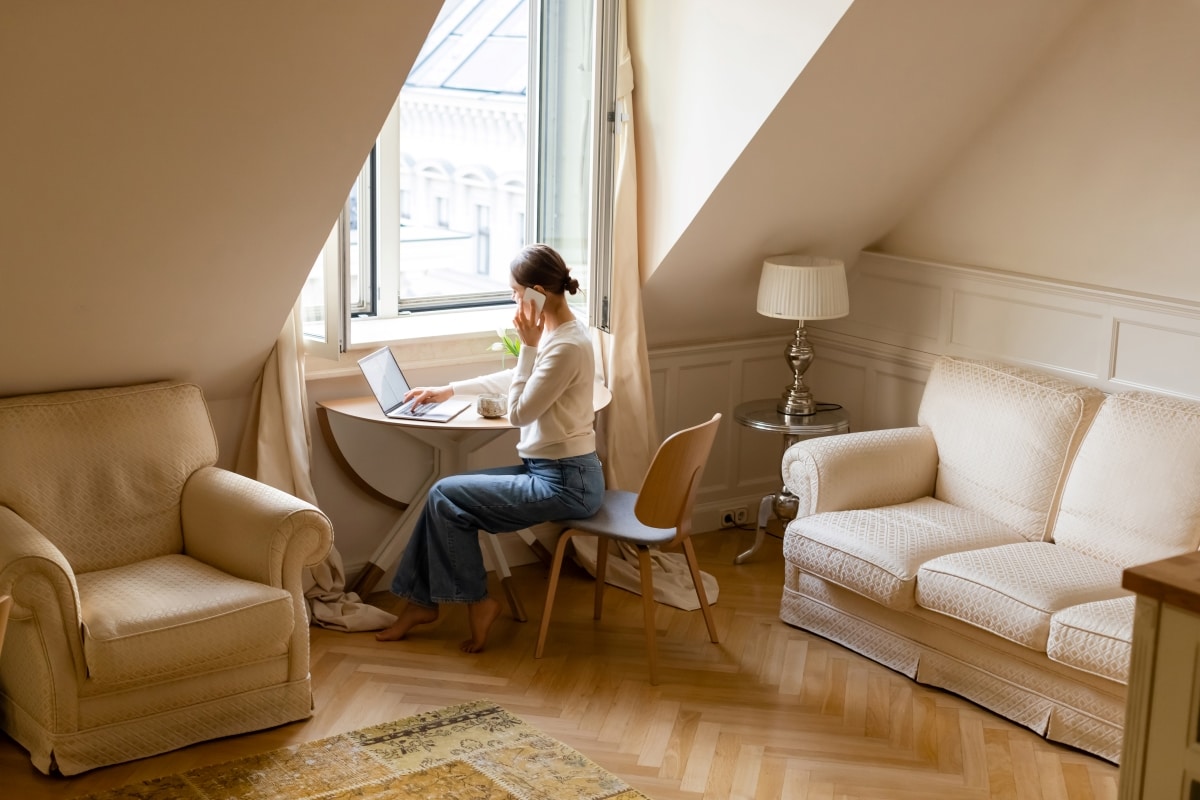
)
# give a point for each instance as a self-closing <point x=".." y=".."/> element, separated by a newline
<point x="1096" y="637"/>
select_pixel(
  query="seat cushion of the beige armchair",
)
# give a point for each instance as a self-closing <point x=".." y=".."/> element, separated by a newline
<point x="175" y="615"/>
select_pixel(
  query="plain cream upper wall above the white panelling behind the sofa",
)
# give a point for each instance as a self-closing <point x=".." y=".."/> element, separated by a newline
<point x="1091" y="173"/>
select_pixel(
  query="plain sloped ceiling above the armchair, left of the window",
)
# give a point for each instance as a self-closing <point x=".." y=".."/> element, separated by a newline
<point x="171" y="172"/>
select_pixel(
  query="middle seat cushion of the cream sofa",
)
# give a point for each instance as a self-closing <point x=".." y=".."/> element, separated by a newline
<point x="1012" y="591"/>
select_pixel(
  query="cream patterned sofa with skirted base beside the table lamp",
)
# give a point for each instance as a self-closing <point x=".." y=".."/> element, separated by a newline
<point x="982" y="550"/>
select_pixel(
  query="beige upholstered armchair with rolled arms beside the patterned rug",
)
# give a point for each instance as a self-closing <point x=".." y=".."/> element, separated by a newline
<point x="158" y="600"/>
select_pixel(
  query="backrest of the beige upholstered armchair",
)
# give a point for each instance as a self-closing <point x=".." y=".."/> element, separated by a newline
<point x="100" y="473"/>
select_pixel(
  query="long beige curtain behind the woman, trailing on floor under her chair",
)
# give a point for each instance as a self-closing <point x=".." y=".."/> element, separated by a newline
<point x="627" y="429"/>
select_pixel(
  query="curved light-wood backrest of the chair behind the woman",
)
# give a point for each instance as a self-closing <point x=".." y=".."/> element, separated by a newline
<point x="669" y="490"/>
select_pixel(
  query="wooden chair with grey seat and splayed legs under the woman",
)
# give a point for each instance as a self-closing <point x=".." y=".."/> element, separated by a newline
<point x="657" y="516"/>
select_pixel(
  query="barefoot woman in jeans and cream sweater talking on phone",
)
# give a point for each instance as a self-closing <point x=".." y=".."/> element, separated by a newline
<point x="560" y="477"/>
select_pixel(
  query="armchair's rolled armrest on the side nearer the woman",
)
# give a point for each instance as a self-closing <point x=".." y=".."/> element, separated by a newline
<point x="250" y="530"/>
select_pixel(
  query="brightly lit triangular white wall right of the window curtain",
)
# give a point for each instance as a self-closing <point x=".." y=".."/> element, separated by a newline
<point x="707" y="75"/>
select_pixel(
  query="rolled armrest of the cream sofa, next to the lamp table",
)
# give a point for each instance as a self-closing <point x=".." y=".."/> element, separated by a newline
<point x="861" y="471"/>
